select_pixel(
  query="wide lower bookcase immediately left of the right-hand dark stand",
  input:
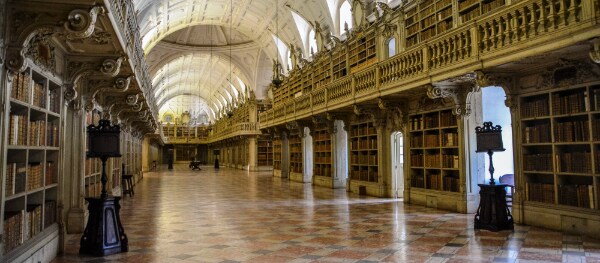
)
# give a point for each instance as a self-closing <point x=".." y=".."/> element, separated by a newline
<point x="434" y="151"/>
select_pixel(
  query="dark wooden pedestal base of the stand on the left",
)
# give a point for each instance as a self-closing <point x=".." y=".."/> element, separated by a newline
<point x="104" y="234"/>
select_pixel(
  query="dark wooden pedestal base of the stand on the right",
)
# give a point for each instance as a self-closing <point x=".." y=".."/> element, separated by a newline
<point x="493" y="213"/>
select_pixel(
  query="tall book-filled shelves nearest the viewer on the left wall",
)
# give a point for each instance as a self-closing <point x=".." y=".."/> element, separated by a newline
<point x="31" y="172"/>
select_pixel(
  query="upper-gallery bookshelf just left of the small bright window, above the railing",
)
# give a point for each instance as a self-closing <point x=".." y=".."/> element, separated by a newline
<point x="362" y="52"/>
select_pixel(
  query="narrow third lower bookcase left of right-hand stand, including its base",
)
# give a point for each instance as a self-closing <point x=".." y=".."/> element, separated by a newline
<point x="322" y="157"/>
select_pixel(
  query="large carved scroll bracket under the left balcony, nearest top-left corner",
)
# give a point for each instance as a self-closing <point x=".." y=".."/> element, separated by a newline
<point x="81" y="23"/>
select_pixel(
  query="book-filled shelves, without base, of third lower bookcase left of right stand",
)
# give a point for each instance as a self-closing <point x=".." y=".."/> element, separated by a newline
<point x="322" y="153"/>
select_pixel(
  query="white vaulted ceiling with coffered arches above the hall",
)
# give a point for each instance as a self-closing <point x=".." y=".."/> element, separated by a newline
<point x="212" y="52"/>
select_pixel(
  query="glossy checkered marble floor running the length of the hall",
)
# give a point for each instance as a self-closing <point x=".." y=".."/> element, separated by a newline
<point x="238" y="216"/>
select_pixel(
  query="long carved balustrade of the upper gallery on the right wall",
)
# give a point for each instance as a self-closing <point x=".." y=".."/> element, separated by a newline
<point x="519" y="26"/>
